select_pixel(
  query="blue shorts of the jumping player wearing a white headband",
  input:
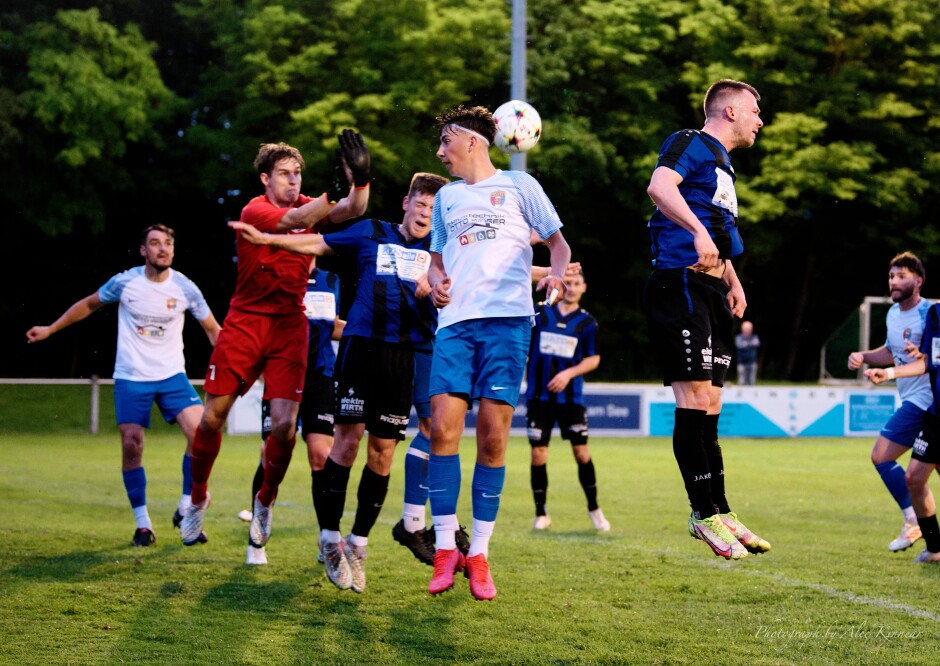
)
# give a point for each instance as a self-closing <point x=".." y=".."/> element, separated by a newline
<point x="482" y="358"/>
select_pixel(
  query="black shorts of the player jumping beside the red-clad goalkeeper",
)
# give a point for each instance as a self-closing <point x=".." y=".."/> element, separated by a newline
<point x="373" y="381"/>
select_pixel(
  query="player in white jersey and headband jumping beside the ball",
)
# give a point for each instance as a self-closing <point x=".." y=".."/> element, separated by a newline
<point x="481" y="261"/>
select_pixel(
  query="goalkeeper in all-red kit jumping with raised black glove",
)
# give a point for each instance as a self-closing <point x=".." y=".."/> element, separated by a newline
<point x="266" y="328"/>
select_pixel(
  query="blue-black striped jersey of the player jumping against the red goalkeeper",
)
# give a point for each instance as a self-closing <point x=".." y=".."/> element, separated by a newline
<point x="385" y="306"/>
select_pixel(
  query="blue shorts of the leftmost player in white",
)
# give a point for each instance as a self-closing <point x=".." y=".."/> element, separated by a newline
<point x="134" y="400"/>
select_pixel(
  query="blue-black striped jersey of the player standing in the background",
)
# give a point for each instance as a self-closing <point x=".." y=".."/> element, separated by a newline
<point x="558" y="343"/>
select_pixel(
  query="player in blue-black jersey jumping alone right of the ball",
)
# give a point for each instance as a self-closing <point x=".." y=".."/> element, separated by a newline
<point x="693" y="295"/>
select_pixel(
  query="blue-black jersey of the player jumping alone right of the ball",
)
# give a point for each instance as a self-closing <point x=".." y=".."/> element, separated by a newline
<point x="708" y="188"/>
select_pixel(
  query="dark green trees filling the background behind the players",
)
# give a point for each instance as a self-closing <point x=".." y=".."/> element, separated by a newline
<point x="118" y="114"/>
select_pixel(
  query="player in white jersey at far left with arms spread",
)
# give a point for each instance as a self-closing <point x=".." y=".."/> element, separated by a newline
<point x="149" y="364"/>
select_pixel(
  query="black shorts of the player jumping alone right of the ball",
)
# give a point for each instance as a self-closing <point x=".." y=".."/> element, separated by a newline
<point x="690" y="325"/>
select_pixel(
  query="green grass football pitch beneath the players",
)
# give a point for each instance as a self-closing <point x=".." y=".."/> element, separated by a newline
<point x="73" y="591"/>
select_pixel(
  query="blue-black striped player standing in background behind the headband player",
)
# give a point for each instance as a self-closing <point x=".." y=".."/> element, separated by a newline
<point x="563" y="350"/>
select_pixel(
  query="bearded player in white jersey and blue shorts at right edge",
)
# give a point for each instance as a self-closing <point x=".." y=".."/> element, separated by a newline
<point x="905" y="322"/>
